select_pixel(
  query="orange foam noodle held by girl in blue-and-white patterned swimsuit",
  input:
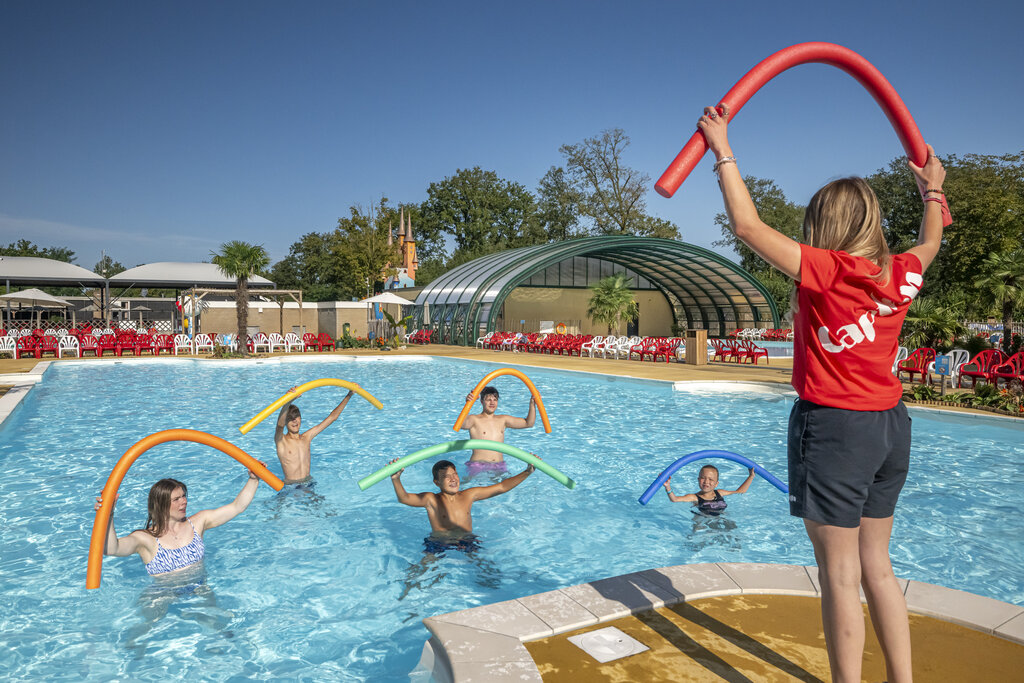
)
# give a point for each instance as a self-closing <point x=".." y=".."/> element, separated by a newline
<point x="100" y="525"/>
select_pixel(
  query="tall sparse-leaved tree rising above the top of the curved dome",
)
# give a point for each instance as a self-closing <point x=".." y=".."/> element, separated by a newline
<point x="612" y="195"/>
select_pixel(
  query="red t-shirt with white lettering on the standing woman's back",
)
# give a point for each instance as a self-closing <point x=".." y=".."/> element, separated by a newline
<point x="846" y="328"/>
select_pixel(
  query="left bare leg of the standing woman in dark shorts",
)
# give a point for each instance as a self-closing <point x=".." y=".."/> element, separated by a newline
<point x="838" y="556"/>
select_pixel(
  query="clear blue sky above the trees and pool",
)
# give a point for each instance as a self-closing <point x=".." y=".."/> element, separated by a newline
<point x="157" y="132"/>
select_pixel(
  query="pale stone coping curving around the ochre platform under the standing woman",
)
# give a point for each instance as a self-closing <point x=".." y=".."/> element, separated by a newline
<point x="486" y="644"/>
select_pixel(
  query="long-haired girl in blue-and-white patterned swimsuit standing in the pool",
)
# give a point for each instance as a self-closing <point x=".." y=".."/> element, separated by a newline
<point x="173" y="540"/>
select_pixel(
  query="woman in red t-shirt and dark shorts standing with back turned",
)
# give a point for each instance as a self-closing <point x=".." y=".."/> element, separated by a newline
<point x="849" y="432"/>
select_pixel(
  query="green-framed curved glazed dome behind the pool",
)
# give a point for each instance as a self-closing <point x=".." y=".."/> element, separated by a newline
<point x="705" y="290"/>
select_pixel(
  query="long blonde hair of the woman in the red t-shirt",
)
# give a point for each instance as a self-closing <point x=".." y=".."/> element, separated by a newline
<point x="845" y="217"/>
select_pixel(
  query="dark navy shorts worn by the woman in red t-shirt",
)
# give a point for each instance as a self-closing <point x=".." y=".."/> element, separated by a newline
<point x="845" y="465"/>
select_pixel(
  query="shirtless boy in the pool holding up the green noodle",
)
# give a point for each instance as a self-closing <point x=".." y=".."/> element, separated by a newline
<point x="449" y="510"/>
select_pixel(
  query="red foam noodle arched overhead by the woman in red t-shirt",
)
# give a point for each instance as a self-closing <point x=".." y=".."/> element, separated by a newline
<point x="828" y="54"/>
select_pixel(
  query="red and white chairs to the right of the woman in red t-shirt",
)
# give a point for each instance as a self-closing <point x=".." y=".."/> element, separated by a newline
<point x="990" y="366"/>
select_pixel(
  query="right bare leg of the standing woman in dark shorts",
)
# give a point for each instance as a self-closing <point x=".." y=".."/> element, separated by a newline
<point x="885" y="600"/>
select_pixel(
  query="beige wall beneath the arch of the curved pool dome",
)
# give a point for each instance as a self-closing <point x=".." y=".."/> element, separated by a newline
<point x="532" y="304"/>
